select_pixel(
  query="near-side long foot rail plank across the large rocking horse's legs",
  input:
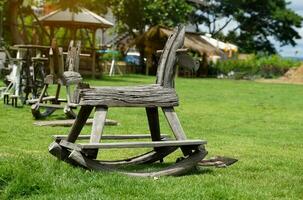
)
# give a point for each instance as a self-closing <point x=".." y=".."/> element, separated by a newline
<point x="152" y="144"/>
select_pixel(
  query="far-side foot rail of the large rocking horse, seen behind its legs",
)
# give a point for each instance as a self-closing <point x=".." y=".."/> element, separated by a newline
<point x="113" y="137"/>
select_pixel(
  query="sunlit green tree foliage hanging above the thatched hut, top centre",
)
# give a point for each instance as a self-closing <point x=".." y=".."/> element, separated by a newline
<point x="137" y="14"/>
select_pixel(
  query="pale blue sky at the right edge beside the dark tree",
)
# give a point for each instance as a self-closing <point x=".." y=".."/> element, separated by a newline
<point x="290" y="51"/>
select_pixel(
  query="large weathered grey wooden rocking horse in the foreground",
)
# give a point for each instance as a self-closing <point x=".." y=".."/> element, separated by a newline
<point x="151" y="97"/>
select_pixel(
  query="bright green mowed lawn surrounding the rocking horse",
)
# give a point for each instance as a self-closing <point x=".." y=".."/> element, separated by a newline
<point x="259" y="124"/>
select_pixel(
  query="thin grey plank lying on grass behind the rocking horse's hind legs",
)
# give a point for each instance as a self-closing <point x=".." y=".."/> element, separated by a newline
<point x="70" y="122"/>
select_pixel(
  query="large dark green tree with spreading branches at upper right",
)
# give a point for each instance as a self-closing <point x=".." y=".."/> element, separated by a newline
<point x="258" y="22"/>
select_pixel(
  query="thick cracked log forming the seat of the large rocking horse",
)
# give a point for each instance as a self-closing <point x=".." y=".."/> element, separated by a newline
<point x="152" y="95"/>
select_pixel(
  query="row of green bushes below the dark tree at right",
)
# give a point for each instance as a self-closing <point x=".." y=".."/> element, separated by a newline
<point x="264" y="66"/>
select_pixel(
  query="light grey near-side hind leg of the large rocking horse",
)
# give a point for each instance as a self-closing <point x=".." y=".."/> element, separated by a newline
<point x="98" y="124"/>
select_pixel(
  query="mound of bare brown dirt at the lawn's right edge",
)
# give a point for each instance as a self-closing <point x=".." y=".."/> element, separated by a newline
<point x="293" y="76"/>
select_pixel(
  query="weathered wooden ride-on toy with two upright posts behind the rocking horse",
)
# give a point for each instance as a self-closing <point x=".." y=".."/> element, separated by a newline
<point x="67" y="77"/>
